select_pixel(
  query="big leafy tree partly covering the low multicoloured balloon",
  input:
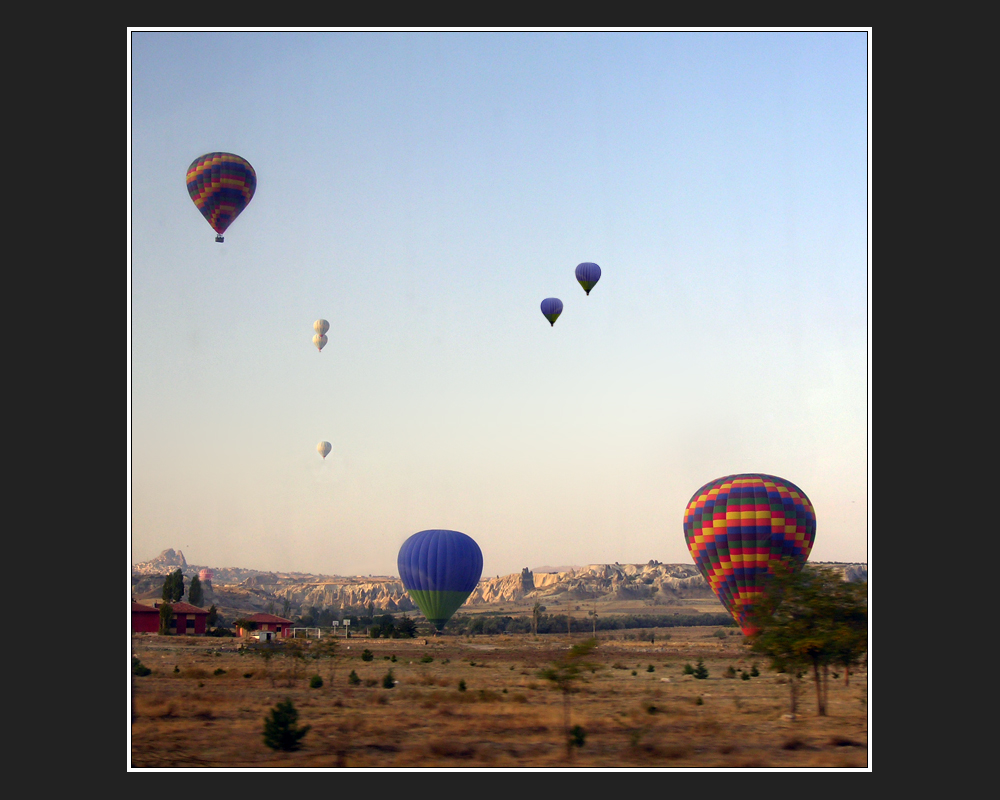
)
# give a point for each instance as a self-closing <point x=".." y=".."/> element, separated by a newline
<point x="809" y="619"/>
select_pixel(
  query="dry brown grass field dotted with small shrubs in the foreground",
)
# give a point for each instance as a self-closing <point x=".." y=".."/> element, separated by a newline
<point x="205" y="702"/>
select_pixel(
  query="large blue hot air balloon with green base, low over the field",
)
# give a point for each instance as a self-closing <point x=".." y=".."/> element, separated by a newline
<point x="439" y="570"/>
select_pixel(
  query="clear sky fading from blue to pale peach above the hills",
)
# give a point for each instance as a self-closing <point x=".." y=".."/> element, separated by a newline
<point x="424" y="192"/>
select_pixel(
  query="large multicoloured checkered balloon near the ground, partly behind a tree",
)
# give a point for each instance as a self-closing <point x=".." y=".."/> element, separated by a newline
<point x="738" y="527"/>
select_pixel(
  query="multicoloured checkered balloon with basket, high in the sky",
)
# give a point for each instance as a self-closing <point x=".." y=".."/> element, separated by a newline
<point x="221" y="186"/>
